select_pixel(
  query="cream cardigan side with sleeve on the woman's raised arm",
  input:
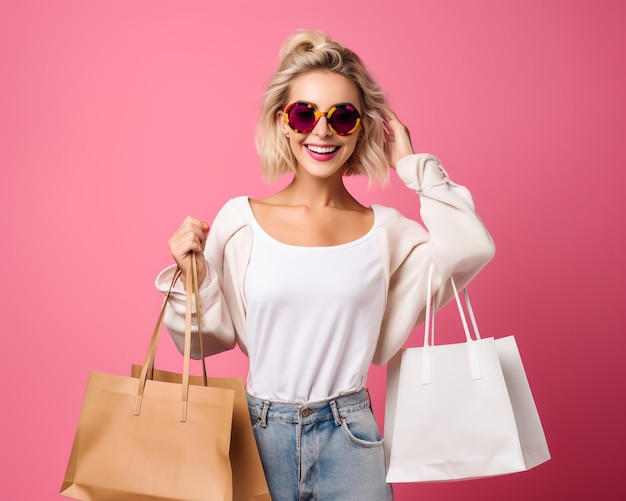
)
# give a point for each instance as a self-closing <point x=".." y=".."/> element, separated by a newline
<point x="455" y="243"/>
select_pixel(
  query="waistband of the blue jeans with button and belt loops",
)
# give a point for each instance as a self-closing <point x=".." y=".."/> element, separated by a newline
<point x="311" y="412"/>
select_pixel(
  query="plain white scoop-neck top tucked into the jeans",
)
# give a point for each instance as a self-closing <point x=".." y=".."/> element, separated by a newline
<point x="314" y="314"/>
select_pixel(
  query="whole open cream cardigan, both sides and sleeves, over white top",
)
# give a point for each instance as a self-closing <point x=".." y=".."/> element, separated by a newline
<point x="456" y="243"/>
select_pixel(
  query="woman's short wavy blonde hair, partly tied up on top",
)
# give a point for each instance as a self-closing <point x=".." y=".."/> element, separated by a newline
<point x="308" y="51"/>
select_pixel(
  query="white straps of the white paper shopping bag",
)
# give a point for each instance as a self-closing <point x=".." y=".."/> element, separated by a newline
<point x="429" y="332"/>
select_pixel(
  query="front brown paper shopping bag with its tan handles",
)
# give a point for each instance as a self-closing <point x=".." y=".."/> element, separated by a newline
<point x="142" y="439"/>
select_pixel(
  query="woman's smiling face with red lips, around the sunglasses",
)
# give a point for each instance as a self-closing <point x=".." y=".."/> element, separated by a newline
<point x="321" y="152"/>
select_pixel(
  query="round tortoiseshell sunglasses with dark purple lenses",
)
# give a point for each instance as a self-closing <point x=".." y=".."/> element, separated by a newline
<point x="343" y="119"/>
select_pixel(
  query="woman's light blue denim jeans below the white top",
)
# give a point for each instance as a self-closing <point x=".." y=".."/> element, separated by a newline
<point x="327" y="451"/>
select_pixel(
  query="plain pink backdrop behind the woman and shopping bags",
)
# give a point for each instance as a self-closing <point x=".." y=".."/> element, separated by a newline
<point x="118" y="118"/>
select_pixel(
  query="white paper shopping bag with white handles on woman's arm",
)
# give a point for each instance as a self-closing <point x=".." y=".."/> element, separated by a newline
<point x="460" y="411"/>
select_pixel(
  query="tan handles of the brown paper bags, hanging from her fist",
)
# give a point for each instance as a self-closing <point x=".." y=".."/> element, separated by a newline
<point x="191" y="290"/>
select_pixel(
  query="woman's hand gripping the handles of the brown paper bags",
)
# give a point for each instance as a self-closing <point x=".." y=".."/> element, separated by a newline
<point x="190" y="237"/>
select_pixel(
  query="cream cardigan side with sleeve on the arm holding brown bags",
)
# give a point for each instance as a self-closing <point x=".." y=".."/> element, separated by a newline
<point x="217" y="326"/>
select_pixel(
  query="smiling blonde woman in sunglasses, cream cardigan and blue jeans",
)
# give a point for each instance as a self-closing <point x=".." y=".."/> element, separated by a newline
<point x="314" y="286"/>
